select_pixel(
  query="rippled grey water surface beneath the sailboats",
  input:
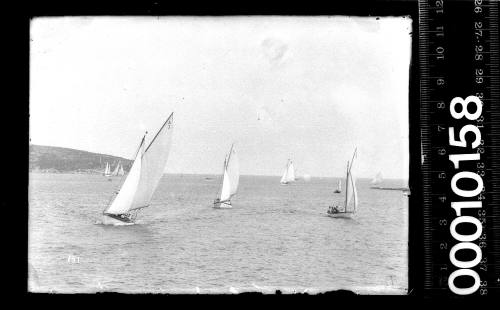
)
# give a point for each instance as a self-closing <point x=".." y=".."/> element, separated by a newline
<point x="275" y="237"/>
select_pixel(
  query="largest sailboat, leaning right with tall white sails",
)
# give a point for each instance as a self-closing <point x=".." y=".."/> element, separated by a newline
<point x="143" y="178"/>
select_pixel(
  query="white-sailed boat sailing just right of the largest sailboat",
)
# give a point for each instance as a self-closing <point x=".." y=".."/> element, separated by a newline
<point x="230" y="180"/>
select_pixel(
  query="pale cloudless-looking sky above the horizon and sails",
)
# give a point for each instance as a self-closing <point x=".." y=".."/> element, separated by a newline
<point x="306" y="88"/>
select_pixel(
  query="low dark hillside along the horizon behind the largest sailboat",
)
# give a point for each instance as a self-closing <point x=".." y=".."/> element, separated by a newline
<point x="58" y="159"/>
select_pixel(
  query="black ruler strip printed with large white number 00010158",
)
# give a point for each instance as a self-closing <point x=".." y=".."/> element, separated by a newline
<point x="456" y="175"/>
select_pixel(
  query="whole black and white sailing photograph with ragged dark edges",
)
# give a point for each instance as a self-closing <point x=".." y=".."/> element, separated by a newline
<point x="219" y="154"/>
